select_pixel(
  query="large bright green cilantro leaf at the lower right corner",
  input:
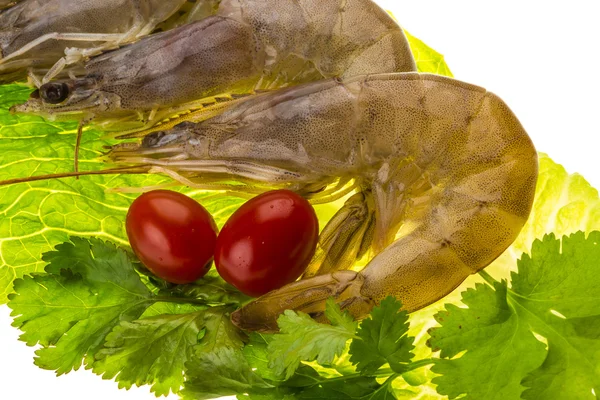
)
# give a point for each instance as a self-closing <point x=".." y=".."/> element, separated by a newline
<point x="555" y="296"/>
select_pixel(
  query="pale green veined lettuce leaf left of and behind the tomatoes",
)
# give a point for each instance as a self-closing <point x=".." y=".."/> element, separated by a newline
<point x="36" y="216"/>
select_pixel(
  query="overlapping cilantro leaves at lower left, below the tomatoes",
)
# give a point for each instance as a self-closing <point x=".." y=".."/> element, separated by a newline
<point x="92" y="307"/>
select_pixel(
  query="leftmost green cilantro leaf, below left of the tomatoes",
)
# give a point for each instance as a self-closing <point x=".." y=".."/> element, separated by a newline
<point x="71" y="309"/>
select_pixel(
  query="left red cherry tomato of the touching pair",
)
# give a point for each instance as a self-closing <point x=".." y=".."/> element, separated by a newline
<point x="172" y="235"/>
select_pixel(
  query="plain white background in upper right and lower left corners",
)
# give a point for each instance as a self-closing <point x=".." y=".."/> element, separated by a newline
<point x="542" y="58"/>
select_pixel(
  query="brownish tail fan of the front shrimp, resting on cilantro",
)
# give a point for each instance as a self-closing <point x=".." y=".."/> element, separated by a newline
<point x="308" y="296"/>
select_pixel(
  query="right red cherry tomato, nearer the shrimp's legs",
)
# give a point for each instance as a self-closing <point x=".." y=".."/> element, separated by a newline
<point x="267" y="243"/>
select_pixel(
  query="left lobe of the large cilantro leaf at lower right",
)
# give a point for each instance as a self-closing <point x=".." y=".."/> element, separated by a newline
<point x="501" y="349"/>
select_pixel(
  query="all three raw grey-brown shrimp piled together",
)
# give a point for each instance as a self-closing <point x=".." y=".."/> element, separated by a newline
<point x="316" y="97"/>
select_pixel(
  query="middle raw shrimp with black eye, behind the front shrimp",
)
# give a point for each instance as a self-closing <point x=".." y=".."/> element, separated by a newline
<point x="248" y="45"/>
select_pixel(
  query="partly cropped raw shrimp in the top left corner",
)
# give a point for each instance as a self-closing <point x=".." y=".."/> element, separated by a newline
<point x="34" y="34"/>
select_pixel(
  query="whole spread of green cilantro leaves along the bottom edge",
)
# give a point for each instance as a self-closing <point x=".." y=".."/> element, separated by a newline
<point x="536" y="338"/>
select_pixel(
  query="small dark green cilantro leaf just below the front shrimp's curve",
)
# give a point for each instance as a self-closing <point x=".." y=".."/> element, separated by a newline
<point x="382" y="339"/>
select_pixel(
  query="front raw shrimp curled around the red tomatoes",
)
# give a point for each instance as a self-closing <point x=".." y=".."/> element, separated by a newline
<point x="443" y="176"/>
